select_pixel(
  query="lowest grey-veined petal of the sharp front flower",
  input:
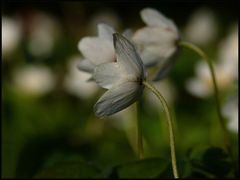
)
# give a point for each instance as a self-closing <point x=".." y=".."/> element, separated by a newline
<point x="118" y="98"/>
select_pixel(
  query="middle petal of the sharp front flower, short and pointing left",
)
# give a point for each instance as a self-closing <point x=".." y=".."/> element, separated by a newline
<point x="108" y="75"/>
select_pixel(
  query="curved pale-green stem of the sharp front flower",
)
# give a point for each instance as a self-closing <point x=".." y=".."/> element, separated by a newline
<point x="170" y="126"/>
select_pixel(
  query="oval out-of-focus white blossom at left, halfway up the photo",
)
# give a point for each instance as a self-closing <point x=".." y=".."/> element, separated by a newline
<point x="34" y="79"/>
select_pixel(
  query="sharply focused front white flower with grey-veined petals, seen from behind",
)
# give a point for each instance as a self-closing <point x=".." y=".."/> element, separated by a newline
<point x="122" y="78"/>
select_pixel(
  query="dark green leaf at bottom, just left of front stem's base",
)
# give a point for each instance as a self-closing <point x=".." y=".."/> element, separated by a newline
<point x="147" y="168"/>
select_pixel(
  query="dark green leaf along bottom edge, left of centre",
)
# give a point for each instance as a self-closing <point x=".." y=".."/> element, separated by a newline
<point x="69" y="170"/>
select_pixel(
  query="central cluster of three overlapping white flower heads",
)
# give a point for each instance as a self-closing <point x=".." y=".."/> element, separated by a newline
<point x="118" y="62"/>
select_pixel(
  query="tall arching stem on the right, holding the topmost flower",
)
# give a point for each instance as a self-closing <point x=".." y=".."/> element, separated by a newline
<point x="218" y="106"/>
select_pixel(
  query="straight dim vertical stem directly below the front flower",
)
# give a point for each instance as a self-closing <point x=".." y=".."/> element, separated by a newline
<point x="139" y="131"/>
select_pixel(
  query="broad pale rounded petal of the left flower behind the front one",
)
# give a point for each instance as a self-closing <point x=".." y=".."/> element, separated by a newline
<point x="97" y="50"/>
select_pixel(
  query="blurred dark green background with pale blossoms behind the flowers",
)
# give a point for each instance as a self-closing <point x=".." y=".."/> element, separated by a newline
<point x="47" y="104"/>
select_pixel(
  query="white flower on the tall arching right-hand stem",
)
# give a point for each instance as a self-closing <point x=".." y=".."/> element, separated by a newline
<point x="158" y="40"/>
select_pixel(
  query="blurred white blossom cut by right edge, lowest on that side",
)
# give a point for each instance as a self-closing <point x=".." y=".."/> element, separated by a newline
<point x="230" y="110"/>
